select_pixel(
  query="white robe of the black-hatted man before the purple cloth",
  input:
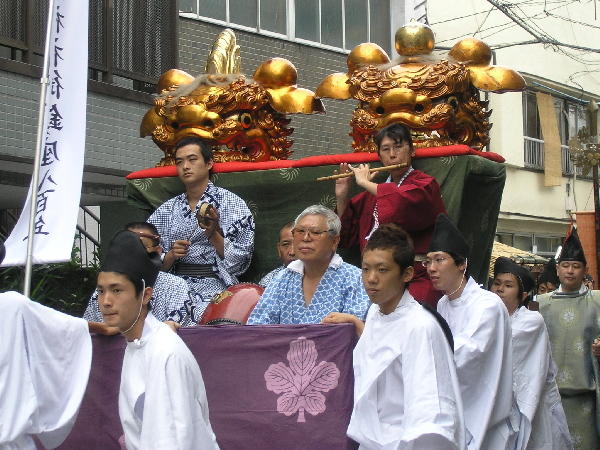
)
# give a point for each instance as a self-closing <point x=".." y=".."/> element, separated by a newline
<point x="162" y="400"/>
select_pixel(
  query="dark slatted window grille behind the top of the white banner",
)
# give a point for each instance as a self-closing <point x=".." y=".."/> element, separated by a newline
<point x="131" y="43"/>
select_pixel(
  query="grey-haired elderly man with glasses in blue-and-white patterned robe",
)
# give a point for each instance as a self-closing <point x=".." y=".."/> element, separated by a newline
<point x="318" y="282"/>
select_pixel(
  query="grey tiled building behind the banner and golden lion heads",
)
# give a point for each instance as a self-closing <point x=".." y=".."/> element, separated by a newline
<point x="131" y="43"/>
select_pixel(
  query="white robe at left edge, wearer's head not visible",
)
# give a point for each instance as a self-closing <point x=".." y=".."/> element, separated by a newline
<point x="45" y="360"/>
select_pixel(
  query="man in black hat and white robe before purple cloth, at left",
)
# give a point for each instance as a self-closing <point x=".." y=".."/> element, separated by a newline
<point x="162" y="399"/>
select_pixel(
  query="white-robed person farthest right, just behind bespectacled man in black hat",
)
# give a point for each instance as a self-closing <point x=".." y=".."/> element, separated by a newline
<point x="543" y="424"/>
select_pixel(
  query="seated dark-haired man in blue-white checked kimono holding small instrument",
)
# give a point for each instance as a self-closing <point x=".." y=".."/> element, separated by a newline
<point x="211" y="253"/>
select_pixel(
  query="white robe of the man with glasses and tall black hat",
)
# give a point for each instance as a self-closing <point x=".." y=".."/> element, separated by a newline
<point x="483" y="354"/>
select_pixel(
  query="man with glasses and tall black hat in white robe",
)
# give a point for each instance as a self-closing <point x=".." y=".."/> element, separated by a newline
<point x="482" y="341"/>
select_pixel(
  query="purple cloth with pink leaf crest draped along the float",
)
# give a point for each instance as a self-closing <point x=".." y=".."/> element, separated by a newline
<point x="250" y="373"/>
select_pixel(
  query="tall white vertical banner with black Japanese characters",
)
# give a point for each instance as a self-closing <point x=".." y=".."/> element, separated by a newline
<point x="62" y="144"/>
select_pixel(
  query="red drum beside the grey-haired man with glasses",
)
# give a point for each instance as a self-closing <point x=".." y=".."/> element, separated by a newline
<point x="233" y="305"/>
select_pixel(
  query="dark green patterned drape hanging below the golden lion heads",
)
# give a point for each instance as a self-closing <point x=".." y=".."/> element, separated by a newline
<point x="471" y="187"/>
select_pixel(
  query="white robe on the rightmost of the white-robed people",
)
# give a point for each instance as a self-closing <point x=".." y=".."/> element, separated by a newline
<point x="543" y="425"/>
